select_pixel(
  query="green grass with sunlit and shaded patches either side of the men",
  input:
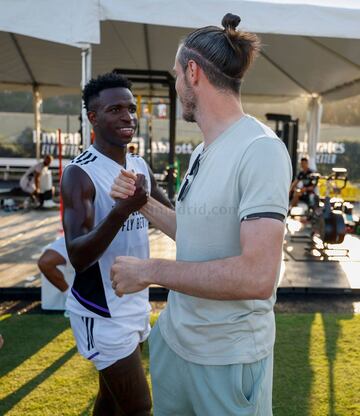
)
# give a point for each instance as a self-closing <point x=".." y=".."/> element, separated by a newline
<point x="317" y="367"/>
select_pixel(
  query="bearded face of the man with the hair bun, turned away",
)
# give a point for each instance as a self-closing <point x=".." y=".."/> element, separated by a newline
<point x="185" y="93"/>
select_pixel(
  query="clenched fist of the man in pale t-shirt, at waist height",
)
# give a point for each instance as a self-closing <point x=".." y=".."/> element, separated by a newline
<point x="129" y="275"/>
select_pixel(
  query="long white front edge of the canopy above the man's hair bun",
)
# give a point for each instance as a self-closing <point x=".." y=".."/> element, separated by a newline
<point x="330" y="18"/>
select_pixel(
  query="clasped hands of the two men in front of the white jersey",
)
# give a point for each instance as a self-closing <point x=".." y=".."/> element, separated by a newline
<point x="130" y="192"/>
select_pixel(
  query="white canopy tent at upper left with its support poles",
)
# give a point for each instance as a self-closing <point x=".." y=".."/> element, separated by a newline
<point x="23" y="23"/>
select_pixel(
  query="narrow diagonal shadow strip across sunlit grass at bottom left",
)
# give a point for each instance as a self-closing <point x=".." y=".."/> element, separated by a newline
<point x="12" y="399"/>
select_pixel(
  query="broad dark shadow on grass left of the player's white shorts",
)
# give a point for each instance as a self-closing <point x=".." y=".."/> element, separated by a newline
<point x="25" y="335"/>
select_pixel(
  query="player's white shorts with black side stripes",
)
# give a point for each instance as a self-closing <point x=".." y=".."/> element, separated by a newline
<point x="107" y="340"/>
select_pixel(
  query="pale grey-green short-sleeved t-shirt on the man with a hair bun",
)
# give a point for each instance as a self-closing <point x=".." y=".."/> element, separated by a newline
<point x="245" y="170"/>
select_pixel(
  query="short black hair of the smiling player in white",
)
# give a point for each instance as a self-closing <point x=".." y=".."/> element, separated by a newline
<point x="103" y="82"/>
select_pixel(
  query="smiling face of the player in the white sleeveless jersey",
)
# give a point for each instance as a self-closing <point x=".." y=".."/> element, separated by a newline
<point x="113" y="116"/>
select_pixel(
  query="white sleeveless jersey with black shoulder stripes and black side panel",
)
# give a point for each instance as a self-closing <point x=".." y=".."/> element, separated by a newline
<point x="91" y="294"/>
